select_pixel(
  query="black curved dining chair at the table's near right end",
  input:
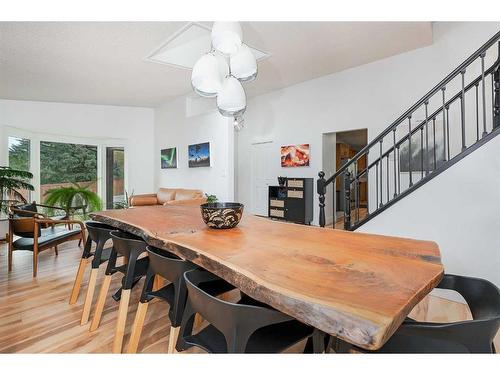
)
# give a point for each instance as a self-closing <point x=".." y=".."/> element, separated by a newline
<point x="470" y="336"/>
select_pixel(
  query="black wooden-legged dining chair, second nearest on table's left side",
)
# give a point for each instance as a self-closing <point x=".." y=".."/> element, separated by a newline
<point x="171" y="268"/>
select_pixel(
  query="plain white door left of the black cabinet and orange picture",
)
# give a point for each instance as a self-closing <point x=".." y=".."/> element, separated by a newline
<point x="263" y="156"/>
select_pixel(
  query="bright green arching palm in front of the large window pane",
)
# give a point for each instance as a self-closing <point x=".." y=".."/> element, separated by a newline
<point x="72" y="198"/>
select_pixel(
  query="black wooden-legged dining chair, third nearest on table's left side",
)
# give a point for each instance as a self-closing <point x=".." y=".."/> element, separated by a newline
<point x="131" y="248"/>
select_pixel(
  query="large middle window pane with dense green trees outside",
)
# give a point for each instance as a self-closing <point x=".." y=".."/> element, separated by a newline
<point x="63" y="164"/>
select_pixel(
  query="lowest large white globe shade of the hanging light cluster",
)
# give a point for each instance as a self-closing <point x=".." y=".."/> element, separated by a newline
<point x="231" y="100"/>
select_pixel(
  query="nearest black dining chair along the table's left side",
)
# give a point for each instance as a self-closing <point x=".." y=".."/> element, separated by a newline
<point x="244" y="327"/>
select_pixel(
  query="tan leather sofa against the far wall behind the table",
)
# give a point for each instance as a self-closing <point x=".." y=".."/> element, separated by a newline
<point x="168" y="196"/>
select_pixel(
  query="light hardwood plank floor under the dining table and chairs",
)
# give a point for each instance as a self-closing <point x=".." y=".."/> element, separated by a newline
<point x="35" y="316"/>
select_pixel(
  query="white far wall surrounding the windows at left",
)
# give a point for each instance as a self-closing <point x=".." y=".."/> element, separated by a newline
<point x="130" y="126"/>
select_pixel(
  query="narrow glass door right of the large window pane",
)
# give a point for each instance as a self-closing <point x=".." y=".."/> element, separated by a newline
<point x="115" y="177"/>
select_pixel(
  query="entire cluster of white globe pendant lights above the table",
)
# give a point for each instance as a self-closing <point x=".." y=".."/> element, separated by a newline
<point x="220" y="72"/>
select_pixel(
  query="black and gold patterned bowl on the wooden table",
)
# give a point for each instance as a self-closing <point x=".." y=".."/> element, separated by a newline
<point x="221" y="215"/>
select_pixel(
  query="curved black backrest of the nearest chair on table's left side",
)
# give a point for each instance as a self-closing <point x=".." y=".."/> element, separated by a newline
<point x="227" y="317"/>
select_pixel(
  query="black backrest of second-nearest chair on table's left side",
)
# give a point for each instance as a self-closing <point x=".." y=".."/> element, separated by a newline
<point x="167" y="265"/>
